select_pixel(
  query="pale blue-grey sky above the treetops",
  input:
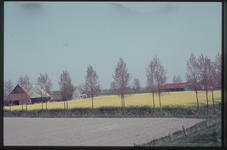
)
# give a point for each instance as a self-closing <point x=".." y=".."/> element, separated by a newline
<point x="49" y="37"/>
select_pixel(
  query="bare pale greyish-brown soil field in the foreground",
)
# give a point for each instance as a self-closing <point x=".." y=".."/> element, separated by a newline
<point x="89" y="131"/>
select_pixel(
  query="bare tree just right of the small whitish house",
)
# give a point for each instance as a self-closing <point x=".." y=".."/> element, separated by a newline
<point x="92" y="86"/>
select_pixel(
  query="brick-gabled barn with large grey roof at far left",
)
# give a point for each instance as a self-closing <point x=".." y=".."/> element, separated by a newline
<point x="27" y="94"/>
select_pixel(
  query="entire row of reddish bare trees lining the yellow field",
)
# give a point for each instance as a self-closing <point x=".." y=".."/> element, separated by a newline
<point x="202" y="74"/>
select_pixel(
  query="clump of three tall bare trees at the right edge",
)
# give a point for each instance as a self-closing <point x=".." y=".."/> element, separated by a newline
<point x="204" y="74"/>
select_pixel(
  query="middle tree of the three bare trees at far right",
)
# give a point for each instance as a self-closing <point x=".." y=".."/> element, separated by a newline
<point x="205" y="67"/>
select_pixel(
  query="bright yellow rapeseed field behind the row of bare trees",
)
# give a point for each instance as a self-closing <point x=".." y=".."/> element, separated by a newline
<point x="172" y="99"/>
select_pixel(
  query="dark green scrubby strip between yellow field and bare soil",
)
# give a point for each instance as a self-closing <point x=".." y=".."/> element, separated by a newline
<point x="116" y="112"/>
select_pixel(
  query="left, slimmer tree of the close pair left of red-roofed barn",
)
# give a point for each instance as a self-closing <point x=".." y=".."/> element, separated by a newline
<point x="151" y="84"/>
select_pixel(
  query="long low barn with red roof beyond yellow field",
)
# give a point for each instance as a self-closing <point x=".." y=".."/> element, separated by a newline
<point x="177" y="87"/>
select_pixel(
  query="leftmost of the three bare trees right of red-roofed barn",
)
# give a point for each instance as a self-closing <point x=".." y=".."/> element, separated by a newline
<point x="193" y="75"/>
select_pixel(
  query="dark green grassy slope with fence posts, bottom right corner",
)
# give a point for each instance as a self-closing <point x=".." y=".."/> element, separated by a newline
<point x="209" y="136"/>
